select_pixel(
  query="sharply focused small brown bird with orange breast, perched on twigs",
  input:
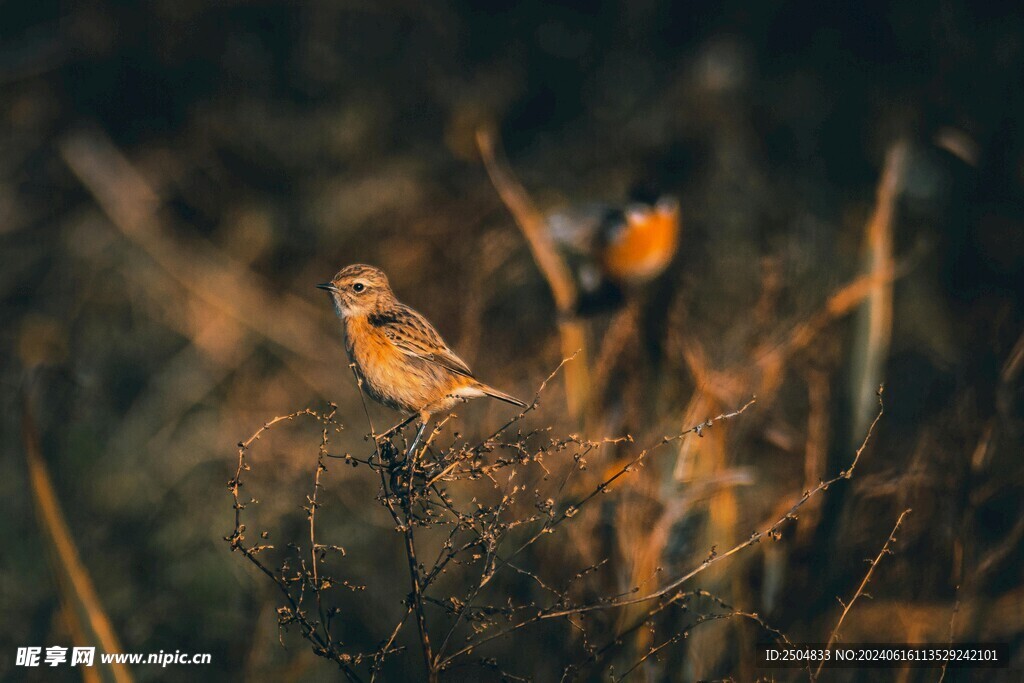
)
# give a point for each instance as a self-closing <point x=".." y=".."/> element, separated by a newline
<point x="403" y="361"/>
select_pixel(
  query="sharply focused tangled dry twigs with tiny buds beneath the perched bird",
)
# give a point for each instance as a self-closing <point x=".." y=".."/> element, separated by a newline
<point x="472" y="519"/>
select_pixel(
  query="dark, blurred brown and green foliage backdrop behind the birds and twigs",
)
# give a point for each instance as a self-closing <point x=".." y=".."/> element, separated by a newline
<point x="176" y="177"/>
